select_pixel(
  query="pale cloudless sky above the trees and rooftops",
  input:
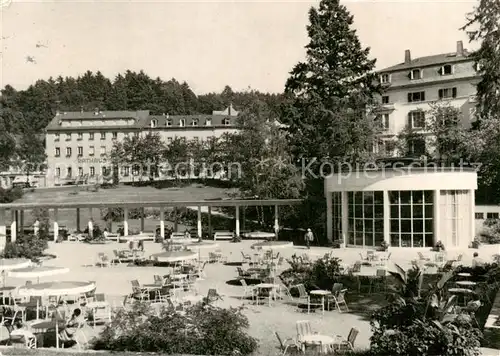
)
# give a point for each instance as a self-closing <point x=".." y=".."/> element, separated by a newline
<point x="208" y="44"/>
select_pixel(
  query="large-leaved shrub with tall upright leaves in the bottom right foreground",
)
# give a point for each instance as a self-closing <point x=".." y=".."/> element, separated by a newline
<point x="422" y="325"/>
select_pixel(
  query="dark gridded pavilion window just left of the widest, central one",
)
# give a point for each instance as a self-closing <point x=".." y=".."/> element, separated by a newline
<point x="365" y="218"/>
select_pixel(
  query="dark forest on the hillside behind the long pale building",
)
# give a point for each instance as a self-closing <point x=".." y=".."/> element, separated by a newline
<point x="24" y="114"/>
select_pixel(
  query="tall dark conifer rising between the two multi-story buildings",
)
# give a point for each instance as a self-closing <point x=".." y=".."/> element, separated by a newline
<point x="330" y="91"/>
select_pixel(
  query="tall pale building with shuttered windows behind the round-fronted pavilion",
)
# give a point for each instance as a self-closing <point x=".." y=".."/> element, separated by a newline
<point x="412" y="86"/>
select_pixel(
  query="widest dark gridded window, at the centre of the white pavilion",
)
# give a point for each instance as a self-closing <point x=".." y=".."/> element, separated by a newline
<point x="411" y="218"/>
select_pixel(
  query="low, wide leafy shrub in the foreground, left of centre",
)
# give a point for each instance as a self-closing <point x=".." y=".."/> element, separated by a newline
<point x="200" y="330"/>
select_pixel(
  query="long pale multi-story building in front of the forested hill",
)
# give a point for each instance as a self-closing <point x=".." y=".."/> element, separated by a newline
<point x="79" y="143"/>
